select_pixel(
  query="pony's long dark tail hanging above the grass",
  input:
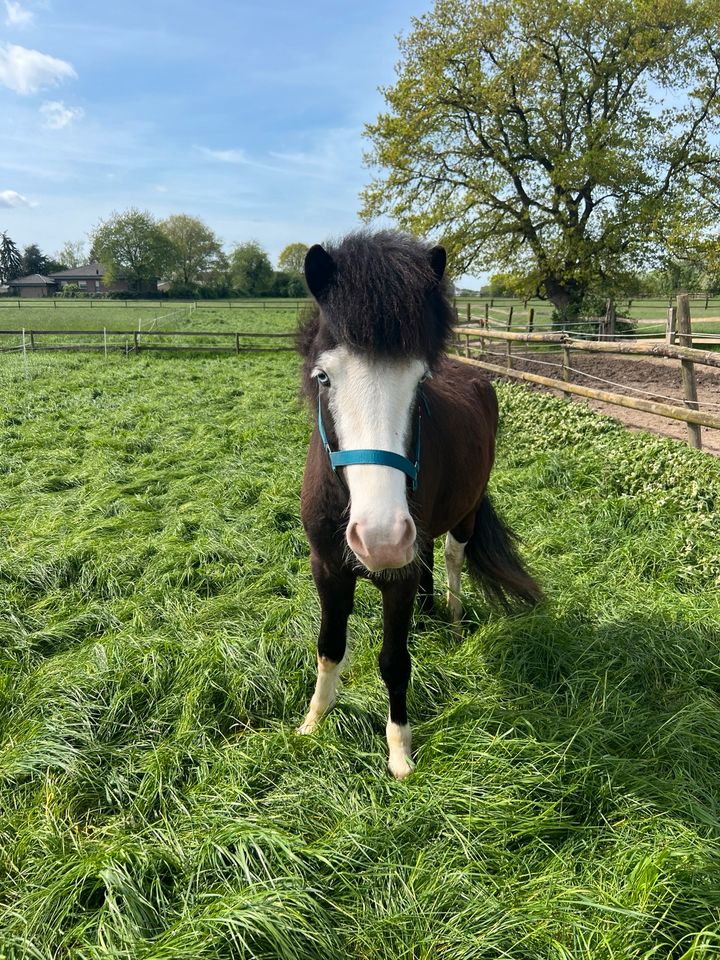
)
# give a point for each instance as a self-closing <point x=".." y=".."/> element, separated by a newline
<point x="494" y="563"/>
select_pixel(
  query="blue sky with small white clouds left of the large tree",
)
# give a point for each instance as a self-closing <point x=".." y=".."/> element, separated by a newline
<point x="246" y="114"/>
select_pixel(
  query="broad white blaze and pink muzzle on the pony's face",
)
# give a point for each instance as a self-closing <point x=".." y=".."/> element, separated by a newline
<point x="371" y="401"/>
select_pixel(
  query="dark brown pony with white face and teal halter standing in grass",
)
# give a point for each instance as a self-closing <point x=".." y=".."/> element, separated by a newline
<point x="401" y="453"/>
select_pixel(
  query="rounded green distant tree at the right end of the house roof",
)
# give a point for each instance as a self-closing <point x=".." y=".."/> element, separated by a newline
<point x="132" y="245"/>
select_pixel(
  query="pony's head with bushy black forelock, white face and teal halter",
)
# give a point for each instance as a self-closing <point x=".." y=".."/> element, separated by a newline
<point x="380" y="325"/>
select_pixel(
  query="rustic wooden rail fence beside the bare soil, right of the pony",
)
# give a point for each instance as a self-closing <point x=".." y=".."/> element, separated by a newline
<point x="472" y="340"/>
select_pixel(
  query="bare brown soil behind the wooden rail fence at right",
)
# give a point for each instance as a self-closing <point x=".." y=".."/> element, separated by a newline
<point x="658" y="378"/>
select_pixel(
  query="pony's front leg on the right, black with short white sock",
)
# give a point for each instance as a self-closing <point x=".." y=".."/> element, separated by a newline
<point x="398" y="599"/>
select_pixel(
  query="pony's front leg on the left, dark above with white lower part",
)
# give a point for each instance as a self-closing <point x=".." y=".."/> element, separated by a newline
<point x="336" y="591"/>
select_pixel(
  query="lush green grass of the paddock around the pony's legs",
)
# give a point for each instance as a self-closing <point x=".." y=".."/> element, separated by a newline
<point x="157" y="624"/>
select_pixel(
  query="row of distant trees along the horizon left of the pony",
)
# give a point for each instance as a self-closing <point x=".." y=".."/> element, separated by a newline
<point x="140" y="249"/>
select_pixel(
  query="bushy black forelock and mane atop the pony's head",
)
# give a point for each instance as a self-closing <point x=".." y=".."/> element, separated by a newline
<point x="384" y="299"/>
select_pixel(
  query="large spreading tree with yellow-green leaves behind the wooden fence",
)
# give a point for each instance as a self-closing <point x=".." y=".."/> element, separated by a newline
<point x="567" y="141"/>
